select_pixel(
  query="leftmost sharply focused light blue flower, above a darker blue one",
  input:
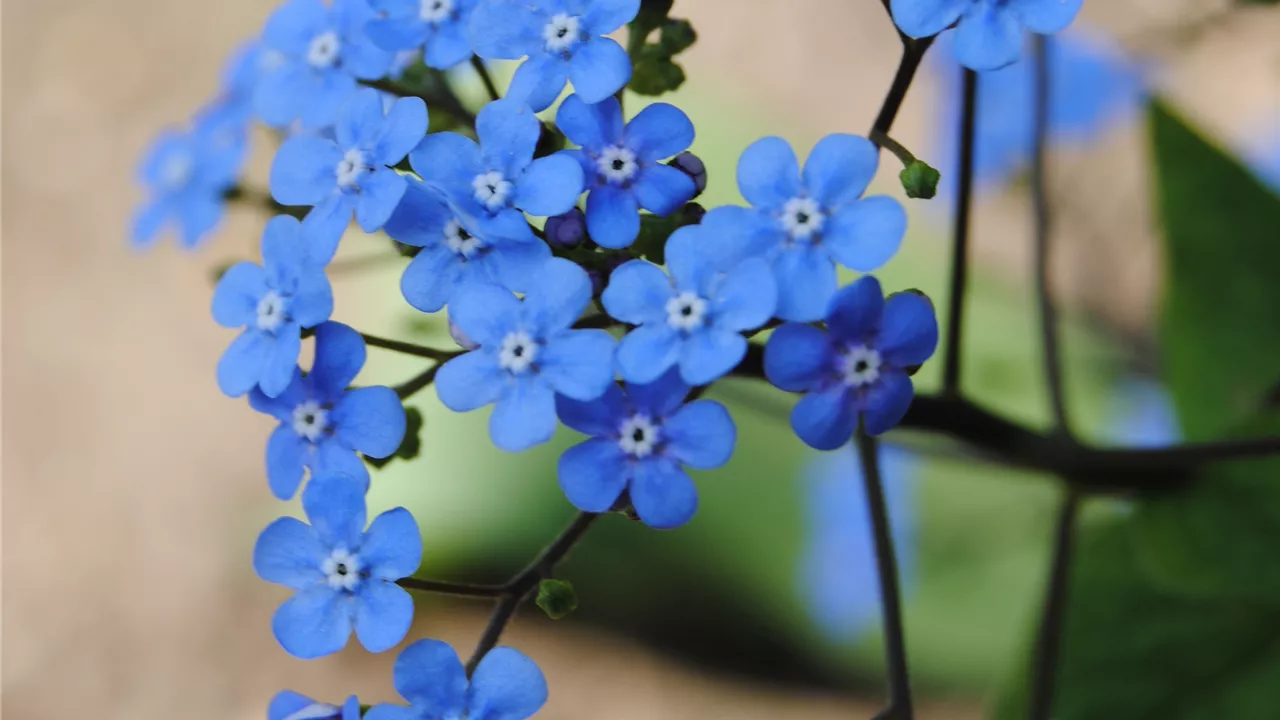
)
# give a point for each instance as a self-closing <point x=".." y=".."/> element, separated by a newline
<point x="273" y="303"/>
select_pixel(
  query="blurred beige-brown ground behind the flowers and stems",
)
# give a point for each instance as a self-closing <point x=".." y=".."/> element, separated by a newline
<point x="132" y="490"/>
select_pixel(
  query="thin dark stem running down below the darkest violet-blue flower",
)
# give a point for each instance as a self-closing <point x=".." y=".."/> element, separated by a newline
<point x="886" y="567"/>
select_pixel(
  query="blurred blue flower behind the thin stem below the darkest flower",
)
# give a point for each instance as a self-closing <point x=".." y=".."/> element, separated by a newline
<point x="839" y="577"/>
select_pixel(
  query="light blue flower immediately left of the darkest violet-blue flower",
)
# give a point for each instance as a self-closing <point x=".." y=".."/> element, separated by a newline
<point x="693" y="320"/>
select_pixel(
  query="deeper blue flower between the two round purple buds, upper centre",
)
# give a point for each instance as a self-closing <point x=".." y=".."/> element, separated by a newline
<point x="624" y="165"/>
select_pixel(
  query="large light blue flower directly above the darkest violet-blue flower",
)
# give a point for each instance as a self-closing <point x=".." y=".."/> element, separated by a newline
<point x="804" y="225"/>
